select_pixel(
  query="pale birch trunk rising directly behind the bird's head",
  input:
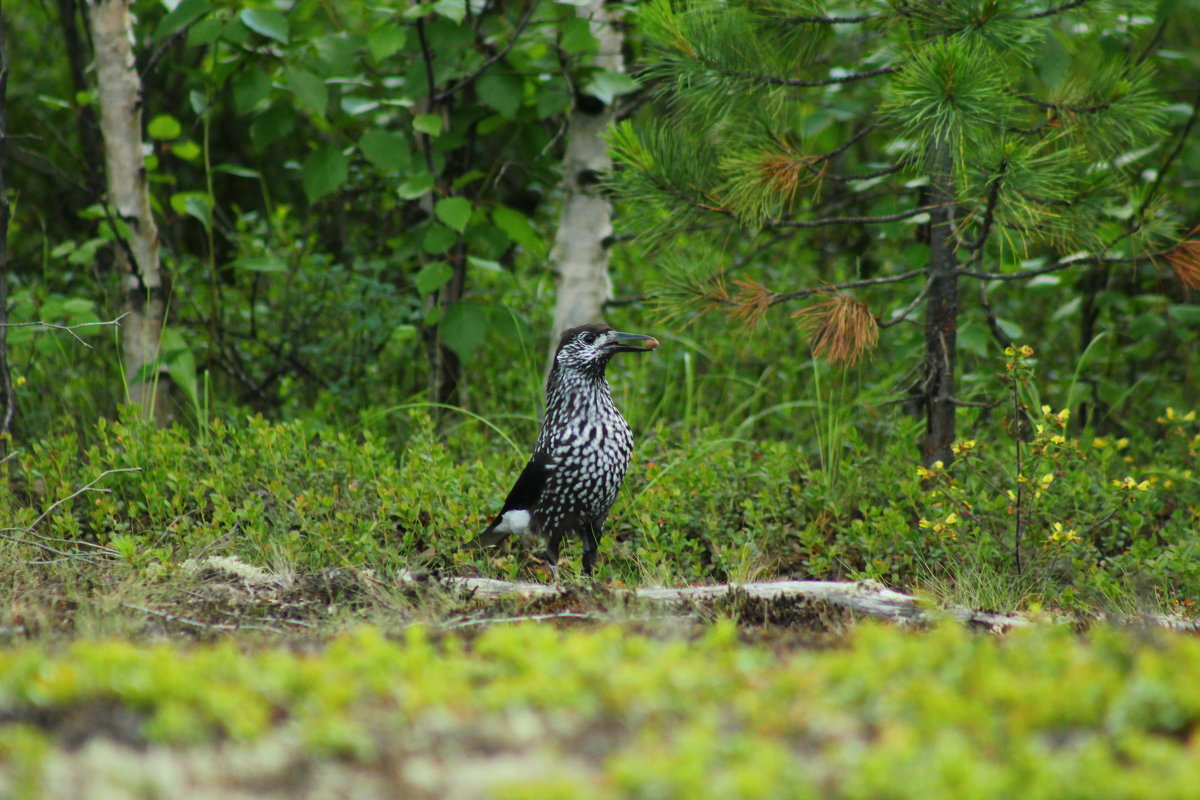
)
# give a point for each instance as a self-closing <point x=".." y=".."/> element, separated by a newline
<point x="580" y="255"/>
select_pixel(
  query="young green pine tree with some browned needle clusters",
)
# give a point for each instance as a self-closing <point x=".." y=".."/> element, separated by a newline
<point x="992" y="130"/>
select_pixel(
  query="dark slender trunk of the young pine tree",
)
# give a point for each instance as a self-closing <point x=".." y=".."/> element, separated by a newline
<point x="941" y="317"/>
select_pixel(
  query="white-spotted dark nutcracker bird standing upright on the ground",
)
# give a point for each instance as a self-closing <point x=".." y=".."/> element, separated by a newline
<point x="577" y="468"/>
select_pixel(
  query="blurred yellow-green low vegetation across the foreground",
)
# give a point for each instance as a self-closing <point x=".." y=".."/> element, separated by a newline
<point x="1042" y="713"/>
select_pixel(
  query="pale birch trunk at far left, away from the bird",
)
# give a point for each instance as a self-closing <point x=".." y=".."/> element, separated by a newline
<point x="137" y="254"/>
